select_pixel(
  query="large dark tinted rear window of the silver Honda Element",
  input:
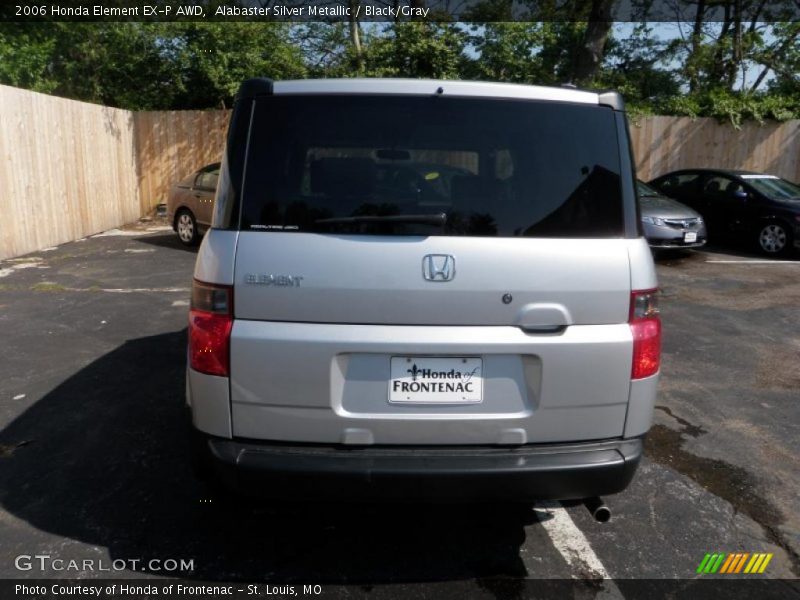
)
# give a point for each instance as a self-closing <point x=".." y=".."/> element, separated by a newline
<point x="382" y="164"/>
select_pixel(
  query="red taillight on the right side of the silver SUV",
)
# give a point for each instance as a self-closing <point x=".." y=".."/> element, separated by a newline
<point x="646" y="328"/>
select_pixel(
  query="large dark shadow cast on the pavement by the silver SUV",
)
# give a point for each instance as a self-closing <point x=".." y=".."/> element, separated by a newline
<point x="102" y="459"/>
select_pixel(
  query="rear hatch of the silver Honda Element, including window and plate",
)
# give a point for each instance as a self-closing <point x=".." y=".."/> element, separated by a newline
<point x="383" y="264"/>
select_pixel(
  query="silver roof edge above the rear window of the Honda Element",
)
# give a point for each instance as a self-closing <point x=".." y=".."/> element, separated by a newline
<point x="428" y="87"/>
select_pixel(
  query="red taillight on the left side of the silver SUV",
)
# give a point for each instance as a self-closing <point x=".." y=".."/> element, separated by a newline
<point x="210" y="324"/>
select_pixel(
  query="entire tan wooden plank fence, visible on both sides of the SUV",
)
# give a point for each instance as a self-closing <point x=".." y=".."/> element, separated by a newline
<point x="70" y="169"/>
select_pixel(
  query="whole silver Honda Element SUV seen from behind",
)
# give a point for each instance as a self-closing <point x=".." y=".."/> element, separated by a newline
<point x="424" y="289"/>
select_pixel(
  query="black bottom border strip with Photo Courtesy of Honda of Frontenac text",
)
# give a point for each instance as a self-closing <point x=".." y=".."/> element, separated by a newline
<point x="744" y="587"/>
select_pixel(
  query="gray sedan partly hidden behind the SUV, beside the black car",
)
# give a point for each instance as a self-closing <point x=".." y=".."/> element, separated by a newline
<point x="667" y="223"/>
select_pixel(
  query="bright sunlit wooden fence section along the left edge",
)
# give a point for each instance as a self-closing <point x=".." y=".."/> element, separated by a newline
<point x="67" y="170"/>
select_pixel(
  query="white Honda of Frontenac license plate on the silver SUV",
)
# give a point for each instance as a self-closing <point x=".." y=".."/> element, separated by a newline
<point x="436" y="380"/>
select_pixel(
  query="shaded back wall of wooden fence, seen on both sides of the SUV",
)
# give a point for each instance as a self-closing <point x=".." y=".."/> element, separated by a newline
<point x="177" y="143"/>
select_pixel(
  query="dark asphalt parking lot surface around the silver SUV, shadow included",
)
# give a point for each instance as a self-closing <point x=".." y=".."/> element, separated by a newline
<point x="93" y="461"/>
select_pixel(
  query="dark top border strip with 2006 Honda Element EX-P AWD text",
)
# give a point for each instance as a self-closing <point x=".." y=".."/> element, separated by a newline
<point x="472" y="11"/>
